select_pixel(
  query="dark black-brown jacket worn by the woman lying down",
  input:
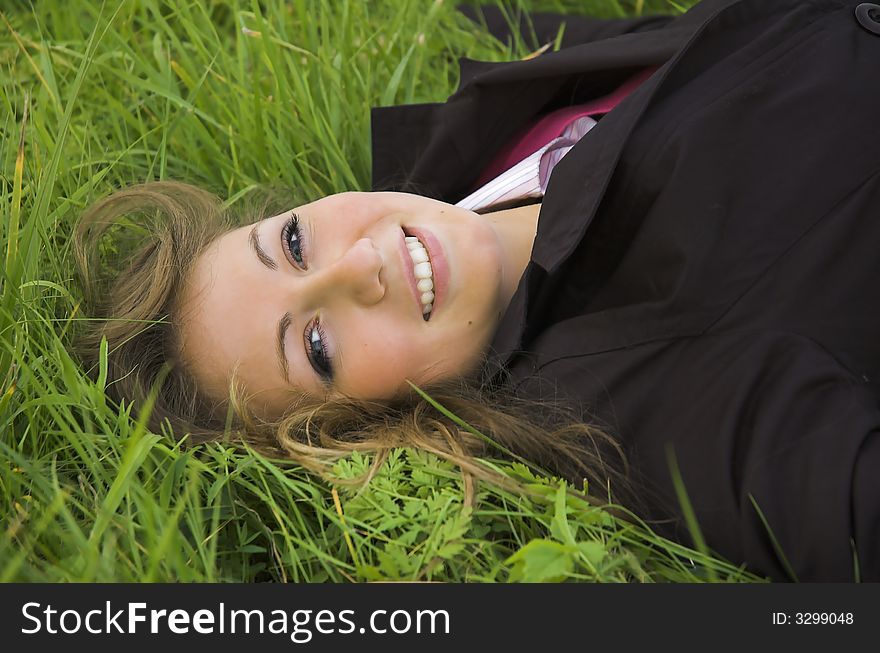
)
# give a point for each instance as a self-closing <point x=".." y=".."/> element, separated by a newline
<point x="705" y="281"/>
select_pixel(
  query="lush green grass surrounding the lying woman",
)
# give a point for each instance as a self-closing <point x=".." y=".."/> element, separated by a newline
<point x="234" y="96"/>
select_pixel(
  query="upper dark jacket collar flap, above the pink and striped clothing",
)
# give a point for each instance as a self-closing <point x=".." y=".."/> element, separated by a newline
<point x="439" y="149"/>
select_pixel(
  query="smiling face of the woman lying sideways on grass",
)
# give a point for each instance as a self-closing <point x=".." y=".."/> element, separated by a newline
<point x="325" y="300"/>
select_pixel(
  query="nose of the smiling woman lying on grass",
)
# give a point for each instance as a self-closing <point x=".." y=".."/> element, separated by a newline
<point x="354" y="276"/>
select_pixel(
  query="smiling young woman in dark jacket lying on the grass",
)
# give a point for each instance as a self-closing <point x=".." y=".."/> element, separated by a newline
<point x="629" y="261"/>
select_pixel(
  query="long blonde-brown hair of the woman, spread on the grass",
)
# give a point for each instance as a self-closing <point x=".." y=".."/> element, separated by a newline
<point x="130" y="290"/>
